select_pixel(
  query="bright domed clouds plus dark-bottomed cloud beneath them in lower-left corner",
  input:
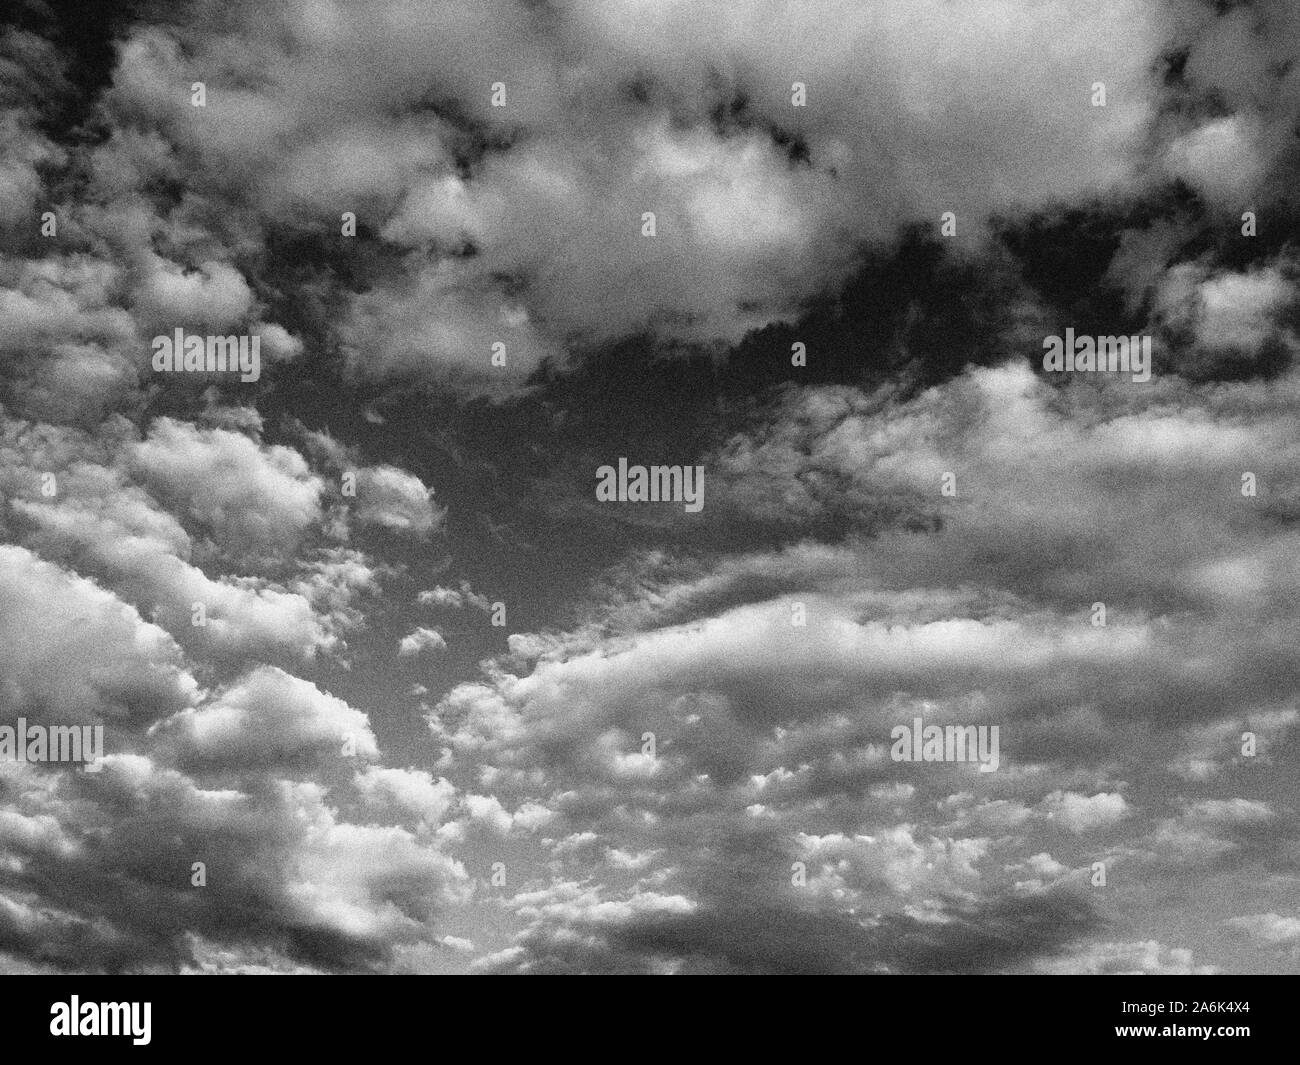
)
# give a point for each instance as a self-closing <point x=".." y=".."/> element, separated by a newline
<point x="231" y="780"/>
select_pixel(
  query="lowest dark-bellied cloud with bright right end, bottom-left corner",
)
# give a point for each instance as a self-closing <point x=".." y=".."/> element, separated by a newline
<point x="330" y="894"/>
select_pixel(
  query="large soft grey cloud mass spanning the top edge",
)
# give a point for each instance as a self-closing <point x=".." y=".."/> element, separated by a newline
<point x="523" y="223"/>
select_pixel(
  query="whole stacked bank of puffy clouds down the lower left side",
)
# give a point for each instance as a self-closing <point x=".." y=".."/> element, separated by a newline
<point x="151" y="582"/>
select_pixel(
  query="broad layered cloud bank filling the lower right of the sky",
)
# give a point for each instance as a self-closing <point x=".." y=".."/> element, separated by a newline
<point x="769" y="800"/>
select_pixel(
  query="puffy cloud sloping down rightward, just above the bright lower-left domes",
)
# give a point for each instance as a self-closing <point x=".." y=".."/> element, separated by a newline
<point x="259" y="505"/>
